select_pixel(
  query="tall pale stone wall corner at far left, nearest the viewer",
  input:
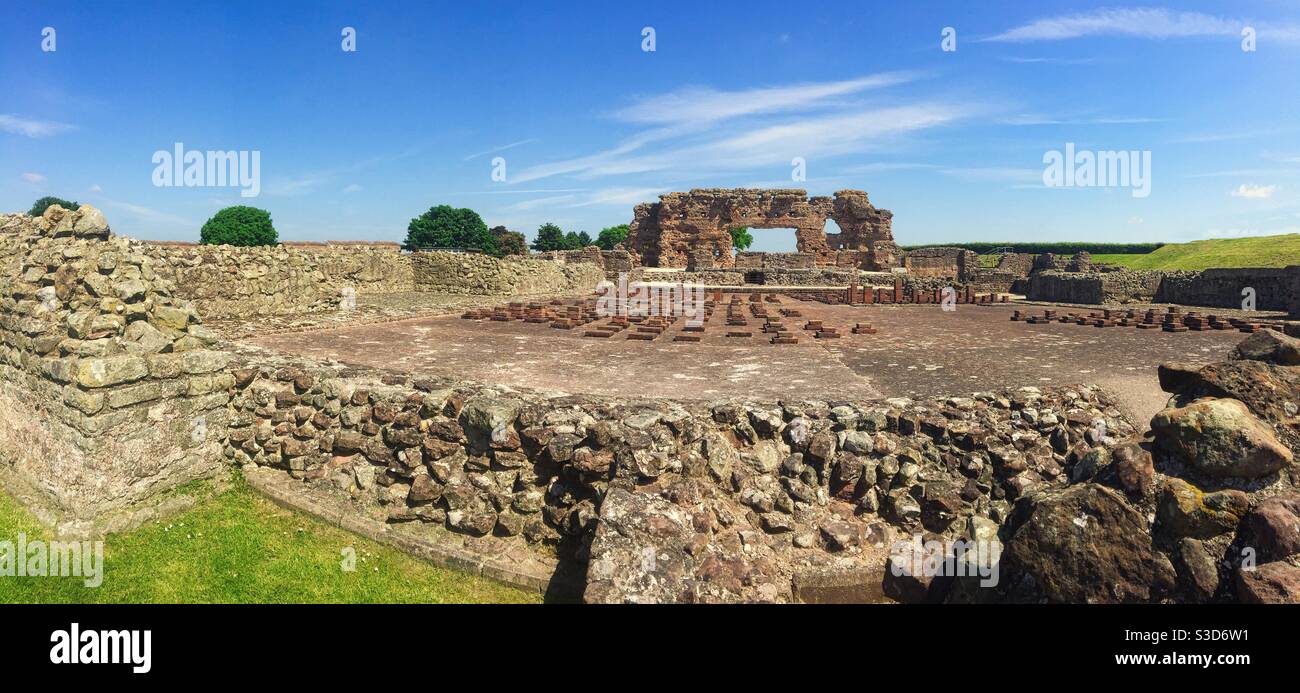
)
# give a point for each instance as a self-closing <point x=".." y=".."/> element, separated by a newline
<point x="107" y="386"/>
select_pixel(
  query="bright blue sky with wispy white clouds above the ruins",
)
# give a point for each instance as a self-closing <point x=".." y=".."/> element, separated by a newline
<point x="354" y="145"/>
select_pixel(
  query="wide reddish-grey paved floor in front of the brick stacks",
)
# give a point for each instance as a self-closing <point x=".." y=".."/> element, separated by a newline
<point x="918" y="352"/>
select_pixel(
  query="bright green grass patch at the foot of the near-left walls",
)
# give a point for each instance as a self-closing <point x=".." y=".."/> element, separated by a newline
<point x="240" y="548"/>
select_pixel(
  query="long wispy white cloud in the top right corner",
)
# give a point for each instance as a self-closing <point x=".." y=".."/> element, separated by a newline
<point x="1138" y="23"/>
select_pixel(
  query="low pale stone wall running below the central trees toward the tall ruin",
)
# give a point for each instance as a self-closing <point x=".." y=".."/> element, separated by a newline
<point x="483" y="275"/>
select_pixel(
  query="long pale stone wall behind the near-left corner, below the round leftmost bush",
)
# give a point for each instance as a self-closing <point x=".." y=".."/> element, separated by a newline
<point x="229" y="281"/>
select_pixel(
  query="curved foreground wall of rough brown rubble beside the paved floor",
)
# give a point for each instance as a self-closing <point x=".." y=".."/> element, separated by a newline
<point x="801" y="486"/>
